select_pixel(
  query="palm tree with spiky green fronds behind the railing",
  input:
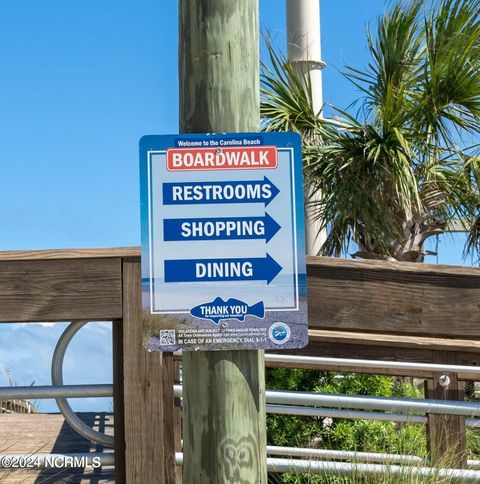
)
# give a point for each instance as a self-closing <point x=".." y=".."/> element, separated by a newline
<point x="405" y="166"/>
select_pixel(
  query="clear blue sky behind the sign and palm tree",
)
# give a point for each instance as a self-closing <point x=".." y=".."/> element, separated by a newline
<point x="80" y="83"/>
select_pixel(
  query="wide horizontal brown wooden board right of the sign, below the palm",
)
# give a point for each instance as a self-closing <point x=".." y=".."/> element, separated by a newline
<point x="395" y="298"/>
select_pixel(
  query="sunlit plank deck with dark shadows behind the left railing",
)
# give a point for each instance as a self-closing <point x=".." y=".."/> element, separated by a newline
<point x="49" y="433"/>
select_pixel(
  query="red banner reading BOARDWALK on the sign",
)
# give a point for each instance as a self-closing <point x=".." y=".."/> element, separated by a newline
<point x="239" y="158"/>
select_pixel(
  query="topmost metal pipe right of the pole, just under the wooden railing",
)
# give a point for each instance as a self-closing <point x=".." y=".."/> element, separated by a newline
<point x="372" y="364"/>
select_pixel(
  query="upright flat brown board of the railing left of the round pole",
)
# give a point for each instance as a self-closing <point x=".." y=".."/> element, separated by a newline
<point x="143" y="389"/>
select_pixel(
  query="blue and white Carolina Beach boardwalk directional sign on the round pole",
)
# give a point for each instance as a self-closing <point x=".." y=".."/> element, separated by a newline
<point x="223" y="249"/>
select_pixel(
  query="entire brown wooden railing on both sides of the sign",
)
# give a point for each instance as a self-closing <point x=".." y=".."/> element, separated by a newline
<point x="357" y="309"/>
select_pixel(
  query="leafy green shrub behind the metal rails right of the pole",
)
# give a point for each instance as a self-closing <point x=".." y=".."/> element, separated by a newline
<point x="342" y="434"/>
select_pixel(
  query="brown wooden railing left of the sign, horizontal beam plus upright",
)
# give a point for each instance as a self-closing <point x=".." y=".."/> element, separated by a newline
<point x="103" y="285"/>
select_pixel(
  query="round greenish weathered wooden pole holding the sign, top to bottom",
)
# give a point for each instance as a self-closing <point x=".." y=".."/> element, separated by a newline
<point x="224" y="392"/>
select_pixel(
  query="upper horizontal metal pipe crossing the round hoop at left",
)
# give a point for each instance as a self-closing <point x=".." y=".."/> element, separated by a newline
<point x="52" y="391"/>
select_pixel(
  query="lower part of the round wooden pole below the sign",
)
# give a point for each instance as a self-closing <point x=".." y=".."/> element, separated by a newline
<point x="237" y="381"/>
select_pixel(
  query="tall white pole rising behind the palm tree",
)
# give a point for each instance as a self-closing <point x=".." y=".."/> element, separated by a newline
<point x="304" y="53"/>
